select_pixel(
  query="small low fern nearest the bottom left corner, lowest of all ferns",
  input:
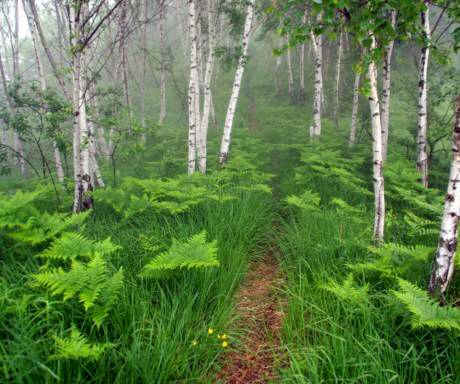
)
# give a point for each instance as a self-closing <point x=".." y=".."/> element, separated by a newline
<point x="77" y="347"/>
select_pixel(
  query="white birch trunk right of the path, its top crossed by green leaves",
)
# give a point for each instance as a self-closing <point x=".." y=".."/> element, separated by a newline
<point x="379" y="182"/>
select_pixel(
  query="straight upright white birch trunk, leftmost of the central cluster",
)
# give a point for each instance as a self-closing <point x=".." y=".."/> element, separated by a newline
<point x="193" y="91"/>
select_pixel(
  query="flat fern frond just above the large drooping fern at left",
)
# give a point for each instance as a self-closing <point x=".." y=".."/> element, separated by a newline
<point x="71" y="245"/>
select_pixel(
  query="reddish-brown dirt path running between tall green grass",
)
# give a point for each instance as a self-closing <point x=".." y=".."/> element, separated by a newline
<point x="259" y="318"/>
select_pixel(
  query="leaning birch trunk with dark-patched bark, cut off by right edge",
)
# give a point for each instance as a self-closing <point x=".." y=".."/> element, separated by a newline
<point x="444" y="260"/>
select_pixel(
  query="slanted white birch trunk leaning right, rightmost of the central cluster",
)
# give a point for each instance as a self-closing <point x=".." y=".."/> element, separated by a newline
<point x="226" y="138"/>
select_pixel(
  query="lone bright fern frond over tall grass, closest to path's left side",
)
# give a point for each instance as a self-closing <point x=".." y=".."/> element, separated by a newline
<point x="193" y="253"/>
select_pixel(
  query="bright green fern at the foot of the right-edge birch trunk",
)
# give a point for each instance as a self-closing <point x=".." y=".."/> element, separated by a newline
<point x="426" y="312"/>
